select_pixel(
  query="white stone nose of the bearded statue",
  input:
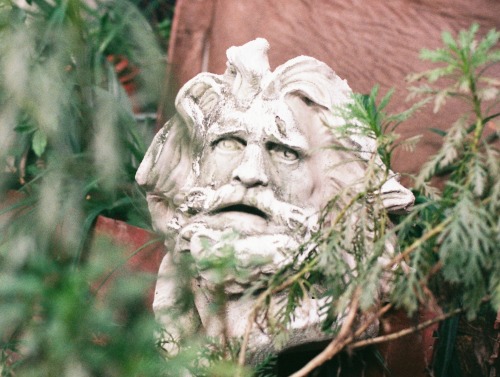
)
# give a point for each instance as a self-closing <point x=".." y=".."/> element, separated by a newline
<point x="251" y="170"/>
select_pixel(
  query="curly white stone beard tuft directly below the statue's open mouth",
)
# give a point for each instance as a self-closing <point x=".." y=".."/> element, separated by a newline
<point x="257" y="246"/>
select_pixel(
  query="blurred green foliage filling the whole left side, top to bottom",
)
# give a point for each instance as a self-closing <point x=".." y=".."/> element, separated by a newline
<point x="69" y="148"/>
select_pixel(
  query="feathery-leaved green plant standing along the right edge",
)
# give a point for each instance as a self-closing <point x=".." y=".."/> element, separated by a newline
<point x="466" y="212"/>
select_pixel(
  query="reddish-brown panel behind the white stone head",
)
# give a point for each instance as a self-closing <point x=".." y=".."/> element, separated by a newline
<point x="365" y="42"/>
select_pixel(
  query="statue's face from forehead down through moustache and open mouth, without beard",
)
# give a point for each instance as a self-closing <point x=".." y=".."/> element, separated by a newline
<point x="263" y="155"/>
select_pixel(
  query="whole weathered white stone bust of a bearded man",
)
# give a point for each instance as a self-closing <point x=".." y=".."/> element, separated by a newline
<point x="247" y="153"/>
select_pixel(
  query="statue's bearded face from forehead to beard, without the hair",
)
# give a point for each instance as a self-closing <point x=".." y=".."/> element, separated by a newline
<point x="257" y="177"/>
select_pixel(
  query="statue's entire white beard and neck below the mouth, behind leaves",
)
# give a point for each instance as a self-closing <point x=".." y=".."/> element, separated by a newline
<point x="260" y="248"/>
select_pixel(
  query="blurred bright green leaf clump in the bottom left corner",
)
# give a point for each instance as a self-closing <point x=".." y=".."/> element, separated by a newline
<point x="53" y="324"/>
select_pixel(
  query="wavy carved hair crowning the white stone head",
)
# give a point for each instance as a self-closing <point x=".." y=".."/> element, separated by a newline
<point x="171" y="161"/>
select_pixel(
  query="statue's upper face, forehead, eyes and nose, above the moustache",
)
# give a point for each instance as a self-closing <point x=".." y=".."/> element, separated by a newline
<point x="260" y="148"/>
